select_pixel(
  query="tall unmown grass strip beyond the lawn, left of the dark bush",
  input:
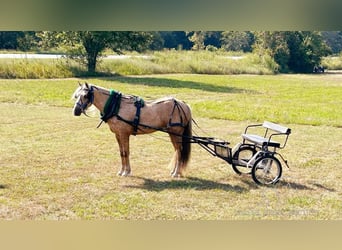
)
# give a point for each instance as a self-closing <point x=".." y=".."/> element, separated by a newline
<point x="166" y="62"/>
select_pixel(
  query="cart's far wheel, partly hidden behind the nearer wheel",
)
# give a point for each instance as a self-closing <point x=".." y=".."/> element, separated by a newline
<point x="241" y="157"/>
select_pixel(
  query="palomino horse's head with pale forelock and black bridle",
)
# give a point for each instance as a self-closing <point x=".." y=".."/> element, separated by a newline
<point x="84" y="96"/>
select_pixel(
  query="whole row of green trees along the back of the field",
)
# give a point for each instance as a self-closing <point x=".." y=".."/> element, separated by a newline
<point x="293" y="51"/>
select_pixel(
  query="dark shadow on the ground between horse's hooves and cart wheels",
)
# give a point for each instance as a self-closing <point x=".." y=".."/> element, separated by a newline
<point x="186" y="183"/>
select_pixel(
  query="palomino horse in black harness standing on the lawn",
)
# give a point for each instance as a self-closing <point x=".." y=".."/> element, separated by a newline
<point x="127" y="115"/>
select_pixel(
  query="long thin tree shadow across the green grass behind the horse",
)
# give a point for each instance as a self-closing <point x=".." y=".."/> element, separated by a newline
<point x="173" y="83"/>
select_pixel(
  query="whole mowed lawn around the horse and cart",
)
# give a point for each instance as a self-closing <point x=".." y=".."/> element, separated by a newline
<point x="57" y="166"/>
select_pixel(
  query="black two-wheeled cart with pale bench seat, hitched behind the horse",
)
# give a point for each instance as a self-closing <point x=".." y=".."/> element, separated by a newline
<point x="255" y="155"/>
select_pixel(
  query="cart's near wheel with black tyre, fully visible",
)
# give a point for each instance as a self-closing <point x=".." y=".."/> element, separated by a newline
<point x="266" y="170"/>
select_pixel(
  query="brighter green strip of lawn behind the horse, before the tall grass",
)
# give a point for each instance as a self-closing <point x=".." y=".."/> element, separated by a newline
<point x="289" y="99"/>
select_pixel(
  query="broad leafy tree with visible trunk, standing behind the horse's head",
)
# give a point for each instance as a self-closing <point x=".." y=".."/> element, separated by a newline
<point x="87" y="46"/>
